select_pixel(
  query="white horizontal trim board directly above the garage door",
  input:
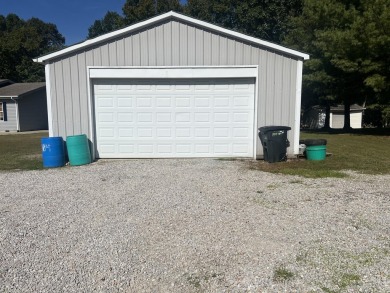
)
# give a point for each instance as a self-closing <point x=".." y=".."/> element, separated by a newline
<point x="172" y="72"/>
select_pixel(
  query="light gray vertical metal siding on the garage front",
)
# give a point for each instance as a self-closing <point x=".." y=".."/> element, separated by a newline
<point x="172" y="43"/>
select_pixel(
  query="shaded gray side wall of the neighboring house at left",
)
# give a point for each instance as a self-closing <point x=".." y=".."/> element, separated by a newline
<point x="33" y="111"/>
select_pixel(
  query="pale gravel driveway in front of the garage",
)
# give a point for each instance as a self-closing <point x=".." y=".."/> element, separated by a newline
<point x="191" y="225"/>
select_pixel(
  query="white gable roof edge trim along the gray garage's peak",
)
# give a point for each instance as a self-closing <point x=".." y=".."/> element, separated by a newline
<point x="173" y="16"/>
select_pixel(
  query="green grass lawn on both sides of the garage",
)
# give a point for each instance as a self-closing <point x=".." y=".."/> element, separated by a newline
<point x="366" y="151"/>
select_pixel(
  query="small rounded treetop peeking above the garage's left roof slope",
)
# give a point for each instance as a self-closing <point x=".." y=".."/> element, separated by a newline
<point x="110" y="22"/>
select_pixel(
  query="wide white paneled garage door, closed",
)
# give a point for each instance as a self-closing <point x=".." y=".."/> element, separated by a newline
<point x="165" y="118"/>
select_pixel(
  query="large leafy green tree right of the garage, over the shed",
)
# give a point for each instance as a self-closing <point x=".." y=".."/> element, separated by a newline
<point x="348" y="42"/>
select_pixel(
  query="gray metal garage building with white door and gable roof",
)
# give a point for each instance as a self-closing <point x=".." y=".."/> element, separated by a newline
<point x="174" y="86"/>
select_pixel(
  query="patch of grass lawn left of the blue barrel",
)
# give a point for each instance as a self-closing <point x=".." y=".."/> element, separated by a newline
<point x="21" y="151"/>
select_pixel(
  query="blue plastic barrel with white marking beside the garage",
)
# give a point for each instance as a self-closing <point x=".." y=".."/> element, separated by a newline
<point x="53" y="152"/>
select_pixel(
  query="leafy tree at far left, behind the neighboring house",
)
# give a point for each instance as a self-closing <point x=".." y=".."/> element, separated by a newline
<point x="20" y="42"/>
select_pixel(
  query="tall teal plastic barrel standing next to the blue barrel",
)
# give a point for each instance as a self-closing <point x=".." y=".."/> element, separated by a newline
<point x="78" y="150"/>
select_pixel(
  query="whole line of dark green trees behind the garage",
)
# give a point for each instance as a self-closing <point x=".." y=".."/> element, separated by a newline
<point x="347" y="41"/>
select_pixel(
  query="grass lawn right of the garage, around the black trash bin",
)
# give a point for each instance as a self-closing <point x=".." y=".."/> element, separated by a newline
<point x="362" y="151"/>
